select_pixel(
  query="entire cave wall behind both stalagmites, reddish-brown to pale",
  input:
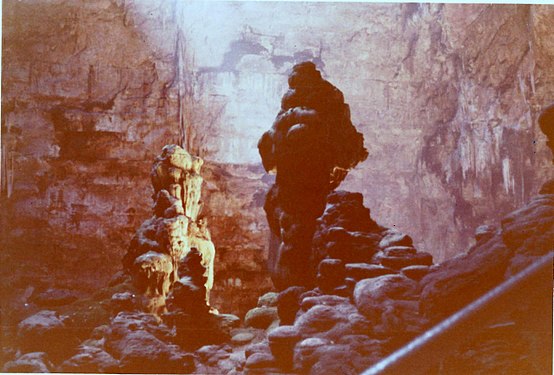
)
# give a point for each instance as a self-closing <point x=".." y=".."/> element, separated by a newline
<point x="447" y="97"/>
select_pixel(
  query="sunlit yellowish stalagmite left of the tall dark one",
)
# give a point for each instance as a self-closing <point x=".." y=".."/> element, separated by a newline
<point x="162" y="244"/>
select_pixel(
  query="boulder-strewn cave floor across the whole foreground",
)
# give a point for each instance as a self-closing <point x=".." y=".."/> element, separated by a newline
<point x="375" y="292"/>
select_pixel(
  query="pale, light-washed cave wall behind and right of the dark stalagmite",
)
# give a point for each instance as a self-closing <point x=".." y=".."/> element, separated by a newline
<point x="447" y="97"/>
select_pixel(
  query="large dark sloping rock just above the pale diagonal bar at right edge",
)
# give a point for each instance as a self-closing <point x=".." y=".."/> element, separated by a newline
<point x="525" y="233"/>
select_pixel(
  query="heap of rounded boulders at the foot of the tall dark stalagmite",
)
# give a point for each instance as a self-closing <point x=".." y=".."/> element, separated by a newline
<point x="364" y="305"/>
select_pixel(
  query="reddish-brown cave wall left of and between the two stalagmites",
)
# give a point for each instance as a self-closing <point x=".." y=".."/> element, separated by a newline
<point x="92" y="91"/>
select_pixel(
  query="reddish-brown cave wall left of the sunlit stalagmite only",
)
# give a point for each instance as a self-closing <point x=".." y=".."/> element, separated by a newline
<point x="88" y="101"/>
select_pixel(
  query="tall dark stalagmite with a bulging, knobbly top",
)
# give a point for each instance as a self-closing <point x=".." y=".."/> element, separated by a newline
<point x="310" y="146"/>
